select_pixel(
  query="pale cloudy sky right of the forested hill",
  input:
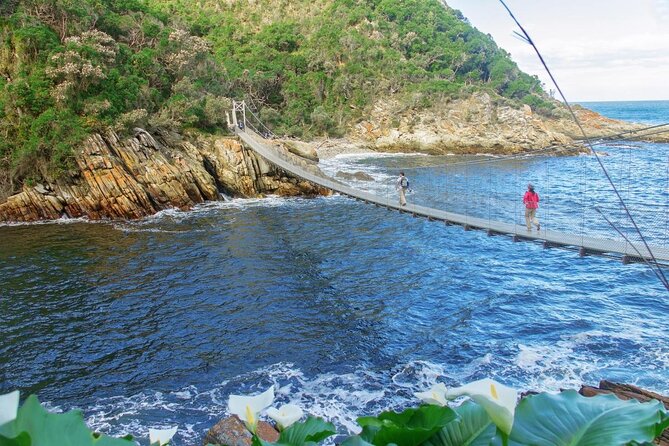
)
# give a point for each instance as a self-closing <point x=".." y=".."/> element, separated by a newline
<point x="598" y="50"/>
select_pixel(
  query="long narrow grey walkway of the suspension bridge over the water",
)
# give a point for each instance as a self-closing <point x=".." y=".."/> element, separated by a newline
<point x="586" y="245"/>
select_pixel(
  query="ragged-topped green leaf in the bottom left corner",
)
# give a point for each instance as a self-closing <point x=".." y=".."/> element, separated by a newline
<point x="55" y="429"/>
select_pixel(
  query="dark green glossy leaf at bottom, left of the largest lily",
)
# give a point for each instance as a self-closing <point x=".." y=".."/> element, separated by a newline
<point x="409" y="428"/>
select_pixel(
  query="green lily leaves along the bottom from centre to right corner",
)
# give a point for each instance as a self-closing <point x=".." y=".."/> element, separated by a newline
<point x="544" y="419"/>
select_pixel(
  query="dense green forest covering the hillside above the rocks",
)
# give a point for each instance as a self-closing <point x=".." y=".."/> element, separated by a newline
<point x="69" y="68"/>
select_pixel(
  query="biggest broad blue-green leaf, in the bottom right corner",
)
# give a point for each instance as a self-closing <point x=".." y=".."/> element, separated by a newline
<point x="571" y="419"/>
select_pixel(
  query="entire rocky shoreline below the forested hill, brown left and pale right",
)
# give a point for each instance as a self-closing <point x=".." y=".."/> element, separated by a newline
<point x="130" y="178"/>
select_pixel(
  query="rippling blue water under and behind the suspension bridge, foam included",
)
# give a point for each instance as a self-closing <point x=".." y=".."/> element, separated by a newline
<point x="346" y="308"/>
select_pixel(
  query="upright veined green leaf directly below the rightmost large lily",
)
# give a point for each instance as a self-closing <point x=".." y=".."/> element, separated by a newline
<point x="473" y="428"/>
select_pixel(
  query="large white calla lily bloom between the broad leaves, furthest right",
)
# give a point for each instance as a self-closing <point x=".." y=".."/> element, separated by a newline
<point x="498" y="400"/>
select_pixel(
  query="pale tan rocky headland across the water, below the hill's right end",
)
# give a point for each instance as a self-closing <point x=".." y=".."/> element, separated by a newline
<point x="476" y="124"/>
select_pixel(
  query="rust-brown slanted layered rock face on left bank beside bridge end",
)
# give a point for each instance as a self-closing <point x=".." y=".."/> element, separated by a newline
<point x="139" y="176"/>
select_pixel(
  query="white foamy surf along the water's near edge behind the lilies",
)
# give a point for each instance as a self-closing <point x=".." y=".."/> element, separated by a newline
<point x="343" y="397"/>
